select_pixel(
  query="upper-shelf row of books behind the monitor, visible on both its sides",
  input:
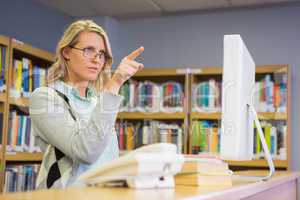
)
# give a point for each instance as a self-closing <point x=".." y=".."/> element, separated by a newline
<point x="268" y="95"/>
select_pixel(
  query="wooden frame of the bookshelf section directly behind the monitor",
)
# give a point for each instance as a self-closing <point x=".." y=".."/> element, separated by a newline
<point x="214" y="116"/>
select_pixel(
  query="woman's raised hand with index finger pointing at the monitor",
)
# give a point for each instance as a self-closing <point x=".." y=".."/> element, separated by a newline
<point x="126" y="69"/>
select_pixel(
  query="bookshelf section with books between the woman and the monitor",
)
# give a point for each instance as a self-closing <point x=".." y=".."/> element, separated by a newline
<point x="159" y="77"/>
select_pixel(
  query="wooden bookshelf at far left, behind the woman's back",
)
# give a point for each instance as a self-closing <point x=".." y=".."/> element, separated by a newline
<point x="37" y="58"/>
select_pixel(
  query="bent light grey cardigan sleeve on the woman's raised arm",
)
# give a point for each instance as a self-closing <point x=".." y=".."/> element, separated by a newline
<point x="52" y="122"/>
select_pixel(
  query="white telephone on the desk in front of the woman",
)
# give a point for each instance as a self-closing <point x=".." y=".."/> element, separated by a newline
<point x="151" y="166"/>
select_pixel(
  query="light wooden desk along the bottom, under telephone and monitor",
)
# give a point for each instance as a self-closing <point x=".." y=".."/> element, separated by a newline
<point x="282" y="186"/>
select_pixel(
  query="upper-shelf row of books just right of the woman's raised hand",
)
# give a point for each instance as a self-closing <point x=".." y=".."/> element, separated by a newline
<point x="146" y="96"/>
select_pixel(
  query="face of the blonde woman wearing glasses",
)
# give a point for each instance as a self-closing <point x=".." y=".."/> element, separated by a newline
<point x="82" y="65"/>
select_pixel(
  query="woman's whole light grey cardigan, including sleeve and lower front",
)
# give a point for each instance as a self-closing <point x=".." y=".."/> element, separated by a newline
<point x="52" y="123"/>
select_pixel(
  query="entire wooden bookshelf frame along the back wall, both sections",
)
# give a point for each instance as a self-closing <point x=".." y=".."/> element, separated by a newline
<point x="193" y="76"/>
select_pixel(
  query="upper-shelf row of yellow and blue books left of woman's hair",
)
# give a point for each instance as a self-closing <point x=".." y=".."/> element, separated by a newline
<point x="26" y="77"/>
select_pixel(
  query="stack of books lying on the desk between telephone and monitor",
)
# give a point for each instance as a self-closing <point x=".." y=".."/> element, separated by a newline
<point x="204" y="170"/>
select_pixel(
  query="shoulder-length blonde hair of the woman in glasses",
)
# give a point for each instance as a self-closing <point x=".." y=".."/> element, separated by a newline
<point x="59" y="69"/>
